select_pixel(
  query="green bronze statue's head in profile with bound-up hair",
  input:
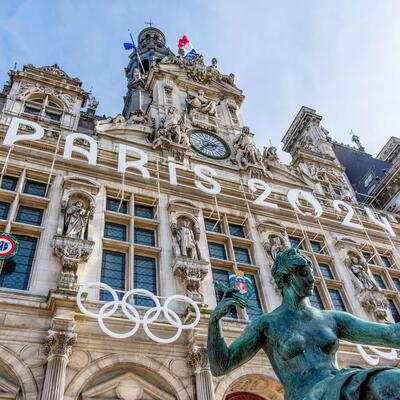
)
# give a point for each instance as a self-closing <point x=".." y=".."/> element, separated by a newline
<point x="292" y="269"/>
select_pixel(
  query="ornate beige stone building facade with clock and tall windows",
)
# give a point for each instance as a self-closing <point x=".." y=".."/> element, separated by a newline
<point x="205" y="203"/>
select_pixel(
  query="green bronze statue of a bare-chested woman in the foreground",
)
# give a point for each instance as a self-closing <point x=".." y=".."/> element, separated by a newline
<point x="301" y="341"/>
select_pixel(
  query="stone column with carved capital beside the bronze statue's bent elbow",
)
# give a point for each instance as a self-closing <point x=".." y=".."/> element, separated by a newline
<point x="198" y="360"/>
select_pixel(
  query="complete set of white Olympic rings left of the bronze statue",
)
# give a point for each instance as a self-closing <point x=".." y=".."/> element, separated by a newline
<point x="130" y="312"/>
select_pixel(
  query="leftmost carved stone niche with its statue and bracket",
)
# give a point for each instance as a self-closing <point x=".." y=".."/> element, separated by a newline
<point x="72" y="244"/>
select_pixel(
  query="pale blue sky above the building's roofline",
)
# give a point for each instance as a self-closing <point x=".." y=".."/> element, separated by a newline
<point x="340" y="57"/>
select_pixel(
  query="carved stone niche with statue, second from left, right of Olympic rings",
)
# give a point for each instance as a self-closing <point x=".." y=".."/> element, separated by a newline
<point x="188" y="263"/>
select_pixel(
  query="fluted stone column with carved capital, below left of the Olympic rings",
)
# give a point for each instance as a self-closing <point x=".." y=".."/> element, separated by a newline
<point x="58" y="348"/>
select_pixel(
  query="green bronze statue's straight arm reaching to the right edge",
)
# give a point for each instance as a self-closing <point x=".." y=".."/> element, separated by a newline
<point x="356" y="330"/>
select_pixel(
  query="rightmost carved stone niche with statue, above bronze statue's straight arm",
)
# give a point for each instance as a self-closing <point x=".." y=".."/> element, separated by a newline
<point x="369" y="294"/>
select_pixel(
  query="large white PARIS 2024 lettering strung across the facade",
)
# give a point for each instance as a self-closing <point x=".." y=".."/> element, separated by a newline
<point x="203" y="173"/>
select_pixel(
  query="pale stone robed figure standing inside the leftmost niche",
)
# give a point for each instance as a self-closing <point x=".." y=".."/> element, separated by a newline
<point x="76" y="220"/>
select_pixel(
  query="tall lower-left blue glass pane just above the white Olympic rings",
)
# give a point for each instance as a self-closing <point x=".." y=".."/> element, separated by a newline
<point x="112" y="273"/>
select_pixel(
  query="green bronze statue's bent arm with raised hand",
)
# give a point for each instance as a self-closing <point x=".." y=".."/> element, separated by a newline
<point x="223" y="358"/>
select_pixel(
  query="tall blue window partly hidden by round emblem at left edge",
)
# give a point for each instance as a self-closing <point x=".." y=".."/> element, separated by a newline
<point x="16" y="270"/>
